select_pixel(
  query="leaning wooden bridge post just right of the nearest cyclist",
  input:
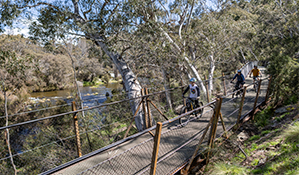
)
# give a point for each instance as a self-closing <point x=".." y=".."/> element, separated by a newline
<point x="214" y="126"/>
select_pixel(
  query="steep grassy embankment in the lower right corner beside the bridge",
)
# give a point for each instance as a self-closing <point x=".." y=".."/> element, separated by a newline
<point x="269" y="144"/>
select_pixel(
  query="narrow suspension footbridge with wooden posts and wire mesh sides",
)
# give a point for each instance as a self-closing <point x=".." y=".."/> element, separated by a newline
<point x="168" y="147"/>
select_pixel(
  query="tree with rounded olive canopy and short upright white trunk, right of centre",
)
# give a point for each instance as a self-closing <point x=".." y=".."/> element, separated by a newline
<point x="219" y="37"/>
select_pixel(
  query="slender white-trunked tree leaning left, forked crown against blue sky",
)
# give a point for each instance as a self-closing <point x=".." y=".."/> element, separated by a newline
<point x="158" y="16"/>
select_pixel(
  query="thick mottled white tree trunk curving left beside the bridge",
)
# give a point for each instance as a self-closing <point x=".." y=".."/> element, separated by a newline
<point x="130" y="82"/>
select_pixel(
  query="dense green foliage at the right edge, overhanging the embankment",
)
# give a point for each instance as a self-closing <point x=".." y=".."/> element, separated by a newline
<point x="276" y="42"/>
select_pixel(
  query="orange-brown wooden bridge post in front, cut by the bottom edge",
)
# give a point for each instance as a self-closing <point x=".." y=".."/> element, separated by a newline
<point x="156" y="148"/>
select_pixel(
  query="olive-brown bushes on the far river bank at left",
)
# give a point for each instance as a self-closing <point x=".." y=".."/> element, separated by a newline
<point x="50" y="69"/>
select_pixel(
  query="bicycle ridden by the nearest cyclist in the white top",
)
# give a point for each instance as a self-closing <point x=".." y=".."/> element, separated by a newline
<point x="190" y="105"/>
